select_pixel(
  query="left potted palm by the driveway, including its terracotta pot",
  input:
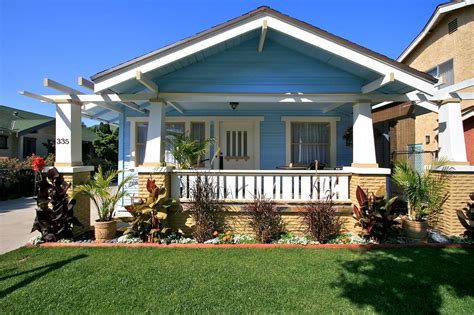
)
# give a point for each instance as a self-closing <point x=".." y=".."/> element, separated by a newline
<point x="105" y="199"/>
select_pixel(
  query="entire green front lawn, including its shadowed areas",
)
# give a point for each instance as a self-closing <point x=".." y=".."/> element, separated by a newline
<point x="126" y="280"/>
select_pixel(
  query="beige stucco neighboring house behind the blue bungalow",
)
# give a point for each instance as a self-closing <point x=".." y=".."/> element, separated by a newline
<point x="444" y="49"/>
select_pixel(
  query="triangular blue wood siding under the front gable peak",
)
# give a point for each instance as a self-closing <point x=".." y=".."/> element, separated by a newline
<point x="277" y="69"/>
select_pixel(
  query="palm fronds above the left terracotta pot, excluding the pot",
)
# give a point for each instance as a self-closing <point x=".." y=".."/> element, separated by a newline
<point x="104" y="198"/>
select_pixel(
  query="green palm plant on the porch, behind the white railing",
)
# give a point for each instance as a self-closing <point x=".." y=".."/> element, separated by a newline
<point x="188" y="151"/>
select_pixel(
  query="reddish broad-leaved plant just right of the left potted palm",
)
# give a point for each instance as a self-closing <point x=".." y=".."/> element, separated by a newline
<point x="149" y="217"/>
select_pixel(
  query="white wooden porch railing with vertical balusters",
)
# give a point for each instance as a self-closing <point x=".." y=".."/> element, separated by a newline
<point x="241" y="185"/>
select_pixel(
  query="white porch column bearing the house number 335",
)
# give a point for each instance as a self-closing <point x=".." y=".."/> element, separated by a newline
<point x="68" y="135"/>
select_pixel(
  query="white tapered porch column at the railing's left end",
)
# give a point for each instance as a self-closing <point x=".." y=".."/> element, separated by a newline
<point x="155" y="146"/>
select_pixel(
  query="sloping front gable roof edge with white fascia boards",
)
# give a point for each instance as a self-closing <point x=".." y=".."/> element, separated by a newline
<point x="261" y="11"/>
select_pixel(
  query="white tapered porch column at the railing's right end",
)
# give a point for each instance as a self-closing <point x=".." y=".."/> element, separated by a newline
<point x="363" y="144"/>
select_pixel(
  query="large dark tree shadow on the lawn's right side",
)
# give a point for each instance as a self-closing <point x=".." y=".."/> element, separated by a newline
<point x="407" y="280"/>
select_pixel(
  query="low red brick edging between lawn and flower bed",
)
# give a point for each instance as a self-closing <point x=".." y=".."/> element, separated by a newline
<point x="261" y="246"/>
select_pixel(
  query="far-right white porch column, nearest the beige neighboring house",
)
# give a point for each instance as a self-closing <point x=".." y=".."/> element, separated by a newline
<point x="452" y="145"/>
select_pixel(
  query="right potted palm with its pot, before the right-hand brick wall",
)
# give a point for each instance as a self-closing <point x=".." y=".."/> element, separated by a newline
<point x="425" y="193"/>
